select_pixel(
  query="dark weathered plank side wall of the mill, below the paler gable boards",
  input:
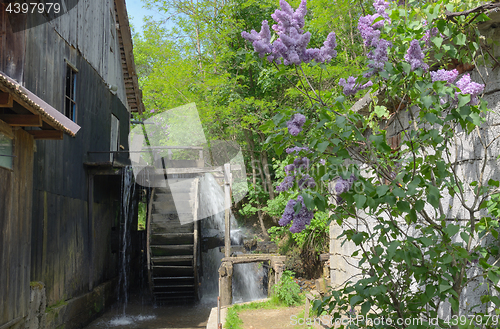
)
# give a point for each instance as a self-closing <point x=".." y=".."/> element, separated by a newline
<point x="61" y="238"/>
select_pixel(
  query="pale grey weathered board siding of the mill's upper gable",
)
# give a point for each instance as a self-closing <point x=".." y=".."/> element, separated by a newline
<point x="90" y="27"/>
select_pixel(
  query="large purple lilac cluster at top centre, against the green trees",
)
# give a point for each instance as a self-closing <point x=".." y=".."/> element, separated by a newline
<point x="291" y="45"/>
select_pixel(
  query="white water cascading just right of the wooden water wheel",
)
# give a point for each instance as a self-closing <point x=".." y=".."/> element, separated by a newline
<point x="248" y="278"/>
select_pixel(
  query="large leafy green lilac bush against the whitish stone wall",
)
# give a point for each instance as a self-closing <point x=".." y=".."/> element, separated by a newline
<point x="417" y="255"/>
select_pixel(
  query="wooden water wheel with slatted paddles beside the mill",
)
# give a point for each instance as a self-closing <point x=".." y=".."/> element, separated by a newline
<point x="172" y="240"/>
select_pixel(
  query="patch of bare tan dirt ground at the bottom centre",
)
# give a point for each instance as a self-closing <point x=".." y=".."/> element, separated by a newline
<point x="275" y="319"/>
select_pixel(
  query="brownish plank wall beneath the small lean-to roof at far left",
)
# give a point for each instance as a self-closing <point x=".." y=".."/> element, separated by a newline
<point x="15" y="230"/>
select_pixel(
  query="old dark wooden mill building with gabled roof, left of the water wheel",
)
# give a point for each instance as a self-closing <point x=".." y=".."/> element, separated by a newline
<point x="67" y="90"/>
